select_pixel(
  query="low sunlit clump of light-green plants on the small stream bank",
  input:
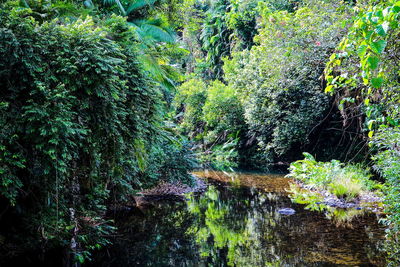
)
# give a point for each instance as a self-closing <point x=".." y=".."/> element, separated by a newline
<point x="346" y="182"/>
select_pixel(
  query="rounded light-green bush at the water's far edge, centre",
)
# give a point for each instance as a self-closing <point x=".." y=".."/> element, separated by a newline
<point x="212" y="117"/>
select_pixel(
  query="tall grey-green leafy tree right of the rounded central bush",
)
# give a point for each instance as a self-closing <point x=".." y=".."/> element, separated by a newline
<point x="279" y="79"/>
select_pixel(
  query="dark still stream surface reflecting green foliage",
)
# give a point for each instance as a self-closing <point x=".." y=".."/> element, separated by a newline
<point x="240" y="226"/>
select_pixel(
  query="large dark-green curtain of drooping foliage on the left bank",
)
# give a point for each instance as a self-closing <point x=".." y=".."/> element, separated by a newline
<point x="82" y="127"/>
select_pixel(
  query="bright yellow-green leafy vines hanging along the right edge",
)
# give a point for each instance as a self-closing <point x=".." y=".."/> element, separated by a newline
<point x="364" y="72"/>
